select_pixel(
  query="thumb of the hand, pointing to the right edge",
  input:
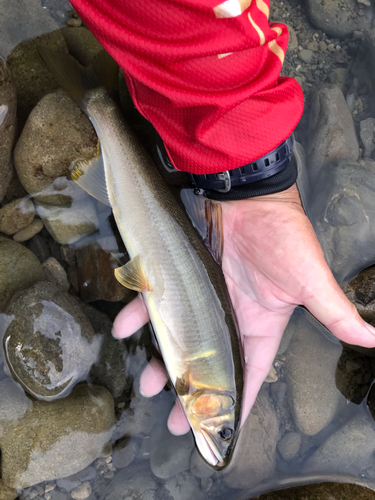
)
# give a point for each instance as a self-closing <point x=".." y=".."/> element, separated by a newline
<point x="327" y="302"/>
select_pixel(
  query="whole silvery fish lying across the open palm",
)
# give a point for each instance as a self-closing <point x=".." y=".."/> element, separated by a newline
<point x="181" y="283"/>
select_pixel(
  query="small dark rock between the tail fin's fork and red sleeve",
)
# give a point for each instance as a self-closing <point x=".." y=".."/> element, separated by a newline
<point x="81" y="44"/>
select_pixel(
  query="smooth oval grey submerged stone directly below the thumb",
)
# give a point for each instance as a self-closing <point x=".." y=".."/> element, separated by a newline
<point x="310" y="368"/>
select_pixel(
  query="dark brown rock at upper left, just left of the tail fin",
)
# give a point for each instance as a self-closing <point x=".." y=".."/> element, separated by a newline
<point x="25" y="64"/>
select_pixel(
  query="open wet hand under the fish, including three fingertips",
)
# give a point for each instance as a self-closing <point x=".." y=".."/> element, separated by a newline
<point x="272" y="262"/>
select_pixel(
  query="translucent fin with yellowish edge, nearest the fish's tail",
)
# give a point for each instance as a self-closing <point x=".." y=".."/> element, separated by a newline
<point x="90" y="176"/>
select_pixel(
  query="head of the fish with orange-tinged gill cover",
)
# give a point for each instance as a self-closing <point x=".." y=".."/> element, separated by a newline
<point x="215" y="426"/>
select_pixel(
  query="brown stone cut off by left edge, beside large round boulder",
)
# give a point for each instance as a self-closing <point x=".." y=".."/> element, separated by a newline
<point x="8" y="123"/>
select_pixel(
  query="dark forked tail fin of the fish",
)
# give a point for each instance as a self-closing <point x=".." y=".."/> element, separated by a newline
<point x="77" y="80"/>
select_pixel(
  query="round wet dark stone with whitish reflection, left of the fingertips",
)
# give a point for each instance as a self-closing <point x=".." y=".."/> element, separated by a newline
<point x="50" y="344"/>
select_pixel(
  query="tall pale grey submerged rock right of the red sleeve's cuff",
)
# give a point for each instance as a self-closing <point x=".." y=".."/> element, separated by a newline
<point x="331" y="131"/>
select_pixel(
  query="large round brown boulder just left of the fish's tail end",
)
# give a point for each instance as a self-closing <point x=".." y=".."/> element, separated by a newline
<point x="56" y="133"/>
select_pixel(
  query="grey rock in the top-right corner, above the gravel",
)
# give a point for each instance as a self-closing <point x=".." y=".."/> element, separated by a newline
<point x="337" y="19"/>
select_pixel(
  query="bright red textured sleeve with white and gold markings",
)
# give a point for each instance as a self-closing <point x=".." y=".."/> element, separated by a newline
<point x="206" y="75"/>
